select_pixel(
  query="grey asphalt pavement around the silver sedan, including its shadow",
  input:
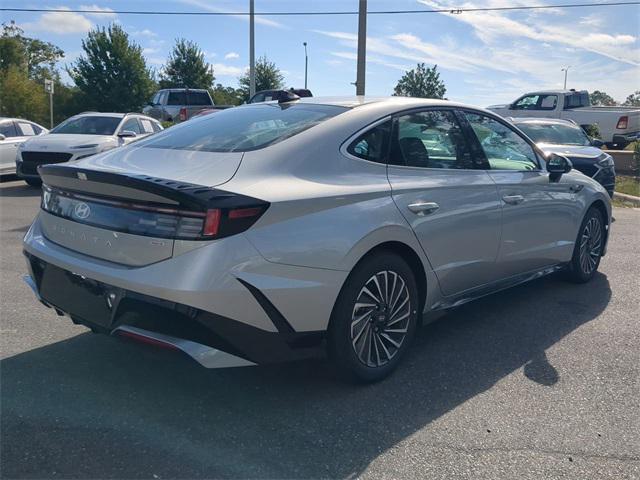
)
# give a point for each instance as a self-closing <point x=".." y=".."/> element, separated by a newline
<point x="538" y="382"/>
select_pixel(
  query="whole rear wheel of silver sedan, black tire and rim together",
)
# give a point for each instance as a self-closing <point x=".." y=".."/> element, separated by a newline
<point x="372" y="335"/>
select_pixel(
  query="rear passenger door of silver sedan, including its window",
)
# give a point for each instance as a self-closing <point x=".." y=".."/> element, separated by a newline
<point x="451" y="204"/>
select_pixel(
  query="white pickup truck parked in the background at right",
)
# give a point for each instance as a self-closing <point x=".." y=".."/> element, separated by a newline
<point x="618" y="126"/>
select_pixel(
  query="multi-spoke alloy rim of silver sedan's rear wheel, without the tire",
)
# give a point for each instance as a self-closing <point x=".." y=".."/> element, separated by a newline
<point x="380" y="318"/>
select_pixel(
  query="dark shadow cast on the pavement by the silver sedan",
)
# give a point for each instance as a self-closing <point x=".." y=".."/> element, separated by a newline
<point x="94" y="407"/>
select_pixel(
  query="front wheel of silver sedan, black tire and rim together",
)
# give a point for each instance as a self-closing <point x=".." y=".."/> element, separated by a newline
<point x="588" y="248"/>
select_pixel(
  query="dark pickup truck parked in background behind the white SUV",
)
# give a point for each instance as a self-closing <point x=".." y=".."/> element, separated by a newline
<point x="178" y="104"/>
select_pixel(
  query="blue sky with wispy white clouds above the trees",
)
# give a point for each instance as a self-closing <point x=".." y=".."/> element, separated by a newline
<point x="484" y="58"/>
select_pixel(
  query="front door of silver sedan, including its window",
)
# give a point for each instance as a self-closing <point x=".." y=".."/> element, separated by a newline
<point x="539" y="213"/>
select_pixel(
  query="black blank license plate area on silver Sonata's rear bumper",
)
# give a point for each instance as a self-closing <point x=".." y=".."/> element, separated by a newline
<point x="79" y="296"/>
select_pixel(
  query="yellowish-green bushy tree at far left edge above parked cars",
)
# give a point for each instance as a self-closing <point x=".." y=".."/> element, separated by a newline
<point x="22" y="97"/>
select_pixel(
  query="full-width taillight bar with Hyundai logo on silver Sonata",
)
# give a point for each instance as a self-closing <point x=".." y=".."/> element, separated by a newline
<point x="155" y="221"/>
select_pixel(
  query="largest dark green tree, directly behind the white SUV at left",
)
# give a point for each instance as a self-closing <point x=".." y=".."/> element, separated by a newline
<point x="112" y="74"/>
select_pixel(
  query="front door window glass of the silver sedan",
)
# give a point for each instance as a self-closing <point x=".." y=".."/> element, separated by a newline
<point x="503" y="147"/>
